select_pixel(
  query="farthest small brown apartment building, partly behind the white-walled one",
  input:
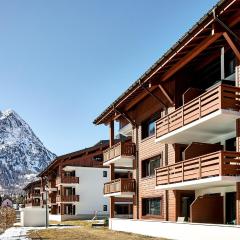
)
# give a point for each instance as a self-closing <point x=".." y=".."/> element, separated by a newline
<point x="33" y="194"/>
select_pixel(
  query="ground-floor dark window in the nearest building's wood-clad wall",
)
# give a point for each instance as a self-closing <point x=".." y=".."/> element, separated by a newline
<point x="151" y="206"/>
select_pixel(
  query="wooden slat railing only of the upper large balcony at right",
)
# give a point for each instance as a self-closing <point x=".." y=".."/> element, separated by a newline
<point x="219" y="97"/>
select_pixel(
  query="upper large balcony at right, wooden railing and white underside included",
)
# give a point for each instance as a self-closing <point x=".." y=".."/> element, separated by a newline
<point x="202" y="119"/>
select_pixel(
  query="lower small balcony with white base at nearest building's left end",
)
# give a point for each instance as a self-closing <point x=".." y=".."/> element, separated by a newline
<point x="122" y="187"/>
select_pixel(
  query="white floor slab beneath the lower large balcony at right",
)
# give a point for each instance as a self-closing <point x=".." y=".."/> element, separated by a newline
<point x="219" y="181"/>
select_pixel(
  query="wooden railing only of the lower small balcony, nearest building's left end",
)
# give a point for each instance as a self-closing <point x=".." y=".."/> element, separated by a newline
<point x="119" y="185"/>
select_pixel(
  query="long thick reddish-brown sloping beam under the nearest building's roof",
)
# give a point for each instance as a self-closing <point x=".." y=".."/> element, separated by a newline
<point x="196" y="51"/>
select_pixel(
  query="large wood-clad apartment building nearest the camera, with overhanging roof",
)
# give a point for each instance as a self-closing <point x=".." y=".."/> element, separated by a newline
<point x="179" y="130"/>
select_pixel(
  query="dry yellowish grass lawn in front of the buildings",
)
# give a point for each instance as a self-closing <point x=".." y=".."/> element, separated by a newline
<point x="83" y="232"/>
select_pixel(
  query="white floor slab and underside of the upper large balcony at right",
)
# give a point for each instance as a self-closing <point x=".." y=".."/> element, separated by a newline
<point x="205" y="129"/>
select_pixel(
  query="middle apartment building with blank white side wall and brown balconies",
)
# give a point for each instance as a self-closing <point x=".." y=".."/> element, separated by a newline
<point x="74" y="184"/>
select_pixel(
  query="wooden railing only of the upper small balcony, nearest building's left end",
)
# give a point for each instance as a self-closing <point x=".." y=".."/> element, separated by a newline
<point x="119" y="149"/>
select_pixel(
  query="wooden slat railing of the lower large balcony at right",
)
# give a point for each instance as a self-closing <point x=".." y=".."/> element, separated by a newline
<point x="221" y="163"/>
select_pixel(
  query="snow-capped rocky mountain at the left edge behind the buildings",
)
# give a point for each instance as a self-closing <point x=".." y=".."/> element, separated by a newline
<point x="22" y="154"/>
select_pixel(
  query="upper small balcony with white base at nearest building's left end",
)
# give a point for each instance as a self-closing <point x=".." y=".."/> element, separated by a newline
<point x="121" y="154"/>
